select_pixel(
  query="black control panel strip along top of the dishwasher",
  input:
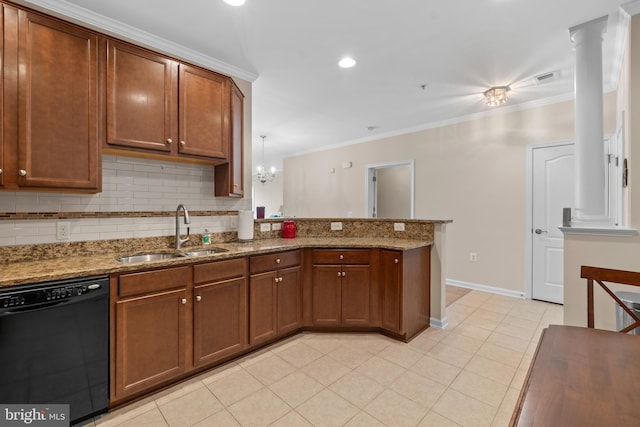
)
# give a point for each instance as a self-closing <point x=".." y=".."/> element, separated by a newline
<point x="25" y="297"/>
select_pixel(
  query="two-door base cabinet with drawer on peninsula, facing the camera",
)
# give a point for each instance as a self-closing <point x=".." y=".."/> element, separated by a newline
<point x="341" y="287"/>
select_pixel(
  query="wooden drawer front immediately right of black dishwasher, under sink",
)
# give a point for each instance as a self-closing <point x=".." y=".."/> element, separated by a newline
<point x="153" y="281"/>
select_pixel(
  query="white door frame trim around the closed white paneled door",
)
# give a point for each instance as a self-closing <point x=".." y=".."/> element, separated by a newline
<point x="528" y="253"/>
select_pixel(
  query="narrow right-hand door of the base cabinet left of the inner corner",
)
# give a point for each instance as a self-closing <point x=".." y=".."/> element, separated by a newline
<point x="289" y="299"/>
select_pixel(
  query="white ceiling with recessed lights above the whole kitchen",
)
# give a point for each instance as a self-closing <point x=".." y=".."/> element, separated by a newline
<point x="303" y="102"/>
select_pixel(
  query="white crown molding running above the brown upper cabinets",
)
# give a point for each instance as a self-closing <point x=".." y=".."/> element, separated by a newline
<point x="116" y="28"/>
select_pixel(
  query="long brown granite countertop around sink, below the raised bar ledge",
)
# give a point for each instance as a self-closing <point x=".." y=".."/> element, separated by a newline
<point x="17" y="273"/>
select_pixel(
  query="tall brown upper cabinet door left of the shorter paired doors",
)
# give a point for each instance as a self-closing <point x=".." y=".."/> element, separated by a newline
<point x="57" y="97"/>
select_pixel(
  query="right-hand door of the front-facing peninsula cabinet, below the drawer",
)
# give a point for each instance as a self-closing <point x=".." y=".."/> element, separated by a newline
<point x="355" y="295"/>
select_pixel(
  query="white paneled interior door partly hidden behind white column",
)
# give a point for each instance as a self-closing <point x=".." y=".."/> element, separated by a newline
<point x="553" y="190"/>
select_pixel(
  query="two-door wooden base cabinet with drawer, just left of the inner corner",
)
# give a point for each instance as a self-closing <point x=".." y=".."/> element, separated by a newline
<point x="275" y="300"/>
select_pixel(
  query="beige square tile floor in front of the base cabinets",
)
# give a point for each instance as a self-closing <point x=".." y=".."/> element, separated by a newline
<point x="469" y="374"/>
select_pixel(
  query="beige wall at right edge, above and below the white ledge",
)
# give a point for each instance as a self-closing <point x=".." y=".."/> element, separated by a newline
<point x="610" y="252"/>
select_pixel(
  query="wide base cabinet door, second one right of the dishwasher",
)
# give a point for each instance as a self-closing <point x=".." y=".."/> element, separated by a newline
<point x="220" y="320"/>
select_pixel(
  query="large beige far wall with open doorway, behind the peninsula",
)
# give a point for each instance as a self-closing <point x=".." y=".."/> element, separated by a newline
<point x="472" y="172"/>
